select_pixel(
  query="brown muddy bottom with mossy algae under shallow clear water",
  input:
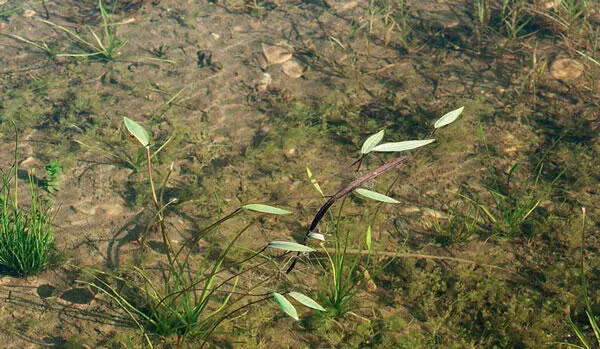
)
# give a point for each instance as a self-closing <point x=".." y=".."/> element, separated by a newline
<point x="482" y="249"/>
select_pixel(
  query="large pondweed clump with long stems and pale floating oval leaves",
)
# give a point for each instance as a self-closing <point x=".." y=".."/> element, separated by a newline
<point x="190" y="300"/>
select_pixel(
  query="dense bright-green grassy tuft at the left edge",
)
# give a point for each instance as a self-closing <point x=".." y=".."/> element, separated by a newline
<point x="26" y="234"/>
